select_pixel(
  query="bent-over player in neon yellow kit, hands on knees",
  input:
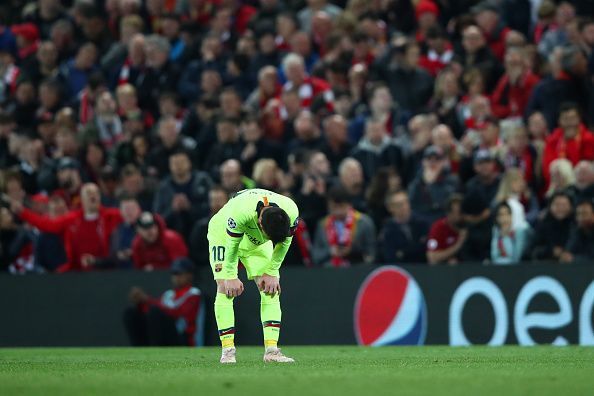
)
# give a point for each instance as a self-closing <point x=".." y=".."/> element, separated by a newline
<point x="256" y="227"/>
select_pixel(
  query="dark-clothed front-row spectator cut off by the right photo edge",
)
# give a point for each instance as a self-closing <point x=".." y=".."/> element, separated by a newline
<point x="580" y="245"/>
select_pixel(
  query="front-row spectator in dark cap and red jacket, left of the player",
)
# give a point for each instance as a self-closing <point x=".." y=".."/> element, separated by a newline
<point x="155" y="246"/>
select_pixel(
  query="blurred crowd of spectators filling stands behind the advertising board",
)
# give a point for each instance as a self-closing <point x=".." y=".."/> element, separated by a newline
<point x="407" y="131"/>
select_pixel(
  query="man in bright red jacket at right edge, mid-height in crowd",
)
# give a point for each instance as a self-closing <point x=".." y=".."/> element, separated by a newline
<point x="571" y="140"/>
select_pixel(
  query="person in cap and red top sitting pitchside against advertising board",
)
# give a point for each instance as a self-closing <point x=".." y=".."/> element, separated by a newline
<point x="177" y="318"/>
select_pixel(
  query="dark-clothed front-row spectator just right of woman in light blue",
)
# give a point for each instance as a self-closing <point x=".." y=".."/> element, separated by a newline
<point x="552" y="232"/>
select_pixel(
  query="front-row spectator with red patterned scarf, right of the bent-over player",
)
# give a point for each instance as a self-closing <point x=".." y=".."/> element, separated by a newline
<point x="344" y="237"/>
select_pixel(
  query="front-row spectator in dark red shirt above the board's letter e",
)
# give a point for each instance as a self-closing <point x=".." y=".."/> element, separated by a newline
<point x="447" y="235"/>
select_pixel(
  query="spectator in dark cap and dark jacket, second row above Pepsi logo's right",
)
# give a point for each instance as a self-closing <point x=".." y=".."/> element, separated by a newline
<point x="432" y="186"/>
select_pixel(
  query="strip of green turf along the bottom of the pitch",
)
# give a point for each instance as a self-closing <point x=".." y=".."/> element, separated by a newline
<point x="340" y="371"/>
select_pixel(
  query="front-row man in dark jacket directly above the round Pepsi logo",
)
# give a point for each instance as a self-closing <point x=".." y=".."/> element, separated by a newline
<point x="403" y="238"/>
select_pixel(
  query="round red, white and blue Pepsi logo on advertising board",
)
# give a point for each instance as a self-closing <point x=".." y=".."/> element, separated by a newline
<point x="390" y="309"/>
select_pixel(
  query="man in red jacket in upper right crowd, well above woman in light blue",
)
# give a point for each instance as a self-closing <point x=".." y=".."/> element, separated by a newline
<point x="514" y="88"/>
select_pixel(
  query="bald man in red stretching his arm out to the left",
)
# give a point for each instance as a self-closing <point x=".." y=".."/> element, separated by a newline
<point x="87" y="232"/>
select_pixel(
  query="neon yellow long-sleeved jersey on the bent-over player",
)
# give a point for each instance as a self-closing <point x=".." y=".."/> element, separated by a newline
<point x="241" y="213"/>
